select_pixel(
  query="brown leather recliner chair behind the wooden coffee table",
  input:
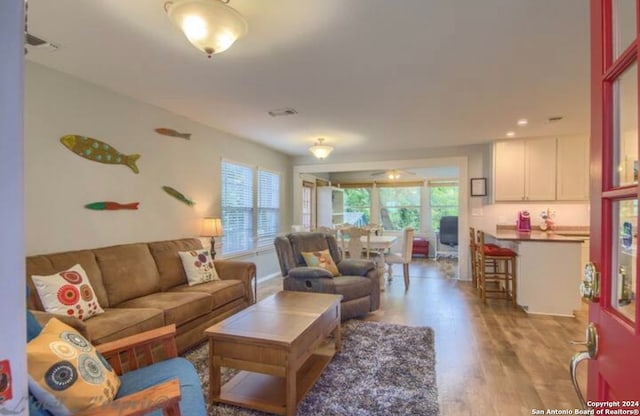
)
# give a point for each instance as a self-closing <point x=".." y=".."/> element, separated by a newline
<point x="358" y="283"/>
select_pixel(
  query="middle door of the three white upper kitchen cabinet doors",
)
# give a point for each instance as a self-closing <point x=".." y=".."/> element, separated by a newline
<point x="540" y="169"/>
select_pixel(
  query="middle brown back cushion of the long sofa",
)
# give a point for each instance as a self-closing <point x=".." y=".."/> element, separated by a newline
<point x="128" y="272"/>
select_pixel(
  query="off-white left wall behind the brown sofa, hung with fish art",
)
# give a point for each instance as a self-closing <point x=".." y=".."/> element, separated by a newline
<point x="59" y="183"/>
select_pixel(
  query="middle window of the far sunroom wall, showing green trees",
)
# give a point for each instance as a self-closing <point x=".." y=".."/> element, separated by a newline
<point x="400" y="207"/>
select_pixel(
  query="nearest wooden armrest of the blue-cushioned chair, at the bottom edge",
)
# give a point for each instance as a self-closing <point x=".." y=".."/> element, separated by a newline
<point x="164" y="396"/>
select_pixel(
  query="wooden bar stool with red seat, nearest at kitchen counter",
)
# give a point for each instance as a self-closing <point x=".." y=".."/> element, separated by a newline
<point x="503" y="262"/>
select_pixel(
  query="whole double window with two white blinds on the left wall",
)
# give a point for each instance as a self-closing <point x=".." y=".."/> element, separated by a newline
<point x="243" y="230"/>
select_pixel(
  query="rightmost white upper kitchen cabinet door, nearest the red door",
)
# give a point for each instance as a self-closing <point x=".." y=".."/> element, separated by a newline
<point x="573" y="169"/>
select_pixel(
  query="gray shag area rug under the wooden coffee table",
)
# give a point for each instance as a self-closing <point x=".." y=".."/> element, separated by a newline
<point x="383" y="369"/>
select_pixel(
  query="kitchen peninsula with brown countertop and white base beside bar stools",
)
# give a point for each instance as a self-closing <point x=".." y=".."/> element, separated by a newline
<point x="549" y="267"/>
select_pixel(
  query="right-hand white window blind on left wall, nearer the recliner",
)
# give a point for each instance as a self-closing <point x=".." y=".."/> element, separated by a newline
<point x="268" y="221"/>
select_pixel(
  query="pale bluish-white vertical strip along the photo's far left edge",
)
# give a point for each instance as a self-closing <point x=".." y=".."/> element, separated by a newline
<point x="13" y="293"/>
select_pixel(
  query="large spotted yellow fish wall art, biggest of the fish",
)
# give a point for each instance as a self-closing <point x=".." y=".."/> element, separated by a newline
<point x="98" y="151"/>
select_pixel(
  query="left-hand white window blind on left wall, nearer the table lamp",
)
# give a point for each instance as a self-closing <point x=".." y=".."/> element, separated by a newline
<point x="237" y="207"/>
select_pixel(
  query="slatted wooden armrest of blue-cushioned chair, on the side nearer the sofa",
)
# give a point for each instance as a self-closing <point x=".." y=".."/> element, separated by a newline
<point x="140" y="350"/>
